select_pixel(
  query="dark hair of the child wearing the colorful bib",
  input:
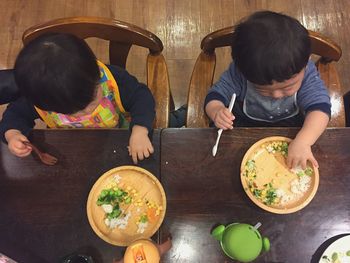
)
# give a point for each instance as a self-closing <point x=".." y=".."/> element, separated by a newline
<point x="57" y="72"/>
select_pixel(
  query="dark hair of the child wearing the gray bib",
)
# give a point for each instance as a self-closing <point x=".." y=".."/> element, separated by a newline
<point x="270" y="46"/>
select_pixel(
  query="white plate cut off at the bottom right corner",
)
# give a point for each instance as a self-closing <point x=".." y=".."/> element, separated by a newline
<point x="340" y="246"/>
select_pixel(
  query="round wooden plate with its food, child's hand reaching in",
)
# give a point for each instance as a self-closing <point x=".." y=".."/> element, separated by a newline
<point x="275" y="188"/>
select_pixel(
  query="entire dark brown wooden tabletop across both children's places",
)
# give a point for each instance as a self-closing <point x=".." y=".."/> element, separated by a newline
<point x="43" y="209"/>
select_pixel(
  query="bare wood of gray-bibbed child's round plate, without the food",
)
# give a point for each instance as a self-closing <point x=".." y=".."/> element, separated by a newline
<point x="271" y="167"/>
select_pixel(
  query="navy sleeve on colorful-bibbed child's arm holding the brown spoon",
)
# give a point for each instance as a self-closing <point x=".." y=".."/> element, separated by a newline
<point x="19" y="115"/>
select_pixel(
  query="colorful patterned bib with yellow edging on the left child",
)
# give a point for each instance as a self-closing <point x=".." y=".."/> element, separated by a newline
<point x="108" y="114"/>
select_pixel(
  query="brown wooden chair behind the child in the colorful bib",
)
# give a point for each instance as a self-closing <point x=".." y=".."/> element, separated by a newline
<point x="121" y="37"/>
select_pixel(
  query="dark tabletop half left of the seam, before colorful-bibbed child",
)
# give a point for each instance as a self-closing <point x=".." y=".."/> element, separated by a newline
<point x="43" y="208"/>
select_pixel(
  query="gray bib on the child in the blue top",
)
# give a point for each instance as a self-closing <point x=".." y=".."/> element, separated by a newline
<point x="262" y="108"/>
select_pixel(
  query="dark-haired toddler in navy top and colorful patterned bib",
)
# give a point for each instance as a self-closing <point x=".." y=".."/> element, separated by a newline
<point x="62" y="83"/>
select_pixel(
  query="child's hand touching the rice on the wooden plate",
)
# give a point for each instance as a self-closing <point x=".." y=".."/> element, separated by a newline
<point x="299" y="153"/>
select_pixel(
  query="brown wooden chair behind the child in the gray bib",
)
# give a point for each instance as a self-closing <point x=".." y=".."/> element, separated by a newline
<point x="203" y="74"/>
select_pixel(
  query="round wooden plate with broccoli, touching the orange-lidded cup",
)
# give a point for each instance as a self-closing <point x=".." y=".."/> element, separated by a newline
<point x="147" y="194"/>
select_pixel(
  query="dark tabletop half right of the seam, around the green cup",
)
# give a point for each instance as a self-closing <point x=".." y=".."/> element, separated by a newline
<point x="203" y="191"/>
